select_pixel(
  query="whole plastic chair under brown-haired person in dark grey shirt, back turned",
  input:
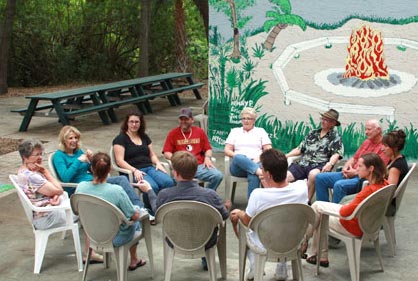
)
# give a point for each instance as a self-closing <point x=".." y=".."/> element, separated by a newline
<point x="189" y="225"/>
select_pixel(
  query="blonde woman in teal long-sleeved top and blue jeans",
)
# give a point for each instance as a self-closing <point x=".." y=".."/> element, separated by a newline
<point x="72" y="164"/>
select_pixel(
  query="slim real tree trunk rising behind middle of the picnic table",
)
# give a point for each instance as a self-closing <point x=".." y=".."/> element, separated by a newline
<point x="144" y="38"/>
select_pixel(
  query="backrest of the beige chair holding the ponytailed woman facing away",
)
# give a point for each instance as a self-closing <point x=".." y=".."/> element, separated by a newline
<point x="100" y="218"/>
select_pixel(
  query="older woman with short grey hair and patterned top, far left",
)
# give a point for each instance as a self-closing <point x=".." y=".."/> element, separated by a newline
<point x="39" y="185"/>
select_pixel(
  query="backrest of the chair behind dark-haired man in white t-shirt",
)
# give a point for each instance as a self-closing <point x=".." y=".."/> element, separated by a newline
<point x="281" y="228"/>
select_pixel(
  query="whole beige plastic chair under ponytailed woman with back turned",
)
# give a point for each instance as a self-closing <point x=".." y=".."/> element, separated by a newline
<point x="101" y="221"/>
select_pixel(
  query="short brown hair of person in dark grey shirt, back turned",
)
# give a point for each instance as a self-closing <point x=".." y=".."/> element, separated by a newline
<point x="185" y="164"/>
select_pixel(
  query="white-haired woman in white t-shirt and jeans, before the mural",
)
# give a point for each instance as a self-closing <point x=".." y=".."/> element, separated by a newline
<point x="244" y="145"/>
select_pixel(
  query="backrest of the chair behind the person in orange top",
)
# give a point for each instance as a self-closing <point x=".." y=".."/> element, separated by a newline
<point x="370" y="213"/>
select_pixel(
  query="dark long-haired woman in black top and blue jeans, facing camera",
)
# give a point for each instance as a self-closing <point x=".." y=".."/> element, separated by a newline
<point x="133" y="151"/>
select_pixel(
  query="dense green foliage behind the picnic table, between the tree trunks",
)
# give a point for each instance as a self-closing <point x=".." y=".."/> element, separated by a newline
<point x="64" y="41"/>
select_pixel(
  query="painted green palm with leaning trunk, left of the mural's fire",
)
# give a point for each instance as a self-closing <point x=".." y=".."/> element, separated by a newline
<point x="280" y="18"/>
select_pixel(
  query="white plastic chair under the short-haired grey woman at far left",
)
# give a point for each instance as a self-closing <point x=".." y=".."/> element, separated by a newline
<point x="41" y="236"/>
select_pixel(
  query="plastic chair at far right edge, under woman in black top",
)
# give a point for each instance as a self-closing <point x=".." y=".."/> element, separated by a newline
<point x="389" y="221"/>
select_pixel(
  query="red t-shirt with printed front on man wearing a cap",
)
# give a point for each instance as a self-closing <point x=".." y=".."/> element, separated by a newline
<point x="194" y="141"/>
